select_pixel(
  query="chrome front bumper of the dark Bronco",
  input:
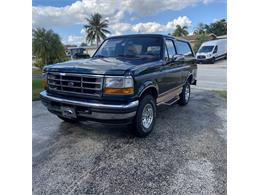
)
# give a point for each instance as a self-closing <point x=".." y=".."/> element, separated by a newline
<point x="92" y="110"/>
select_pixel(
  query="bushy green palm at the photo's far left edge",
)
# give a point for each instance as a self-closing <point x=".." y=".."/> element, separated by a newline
<point x="47" y="47"/>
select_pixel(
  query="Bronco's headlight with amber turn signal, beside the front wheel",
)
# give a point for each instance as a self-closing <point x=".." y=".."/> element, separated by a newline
<point x="119" y="85"/>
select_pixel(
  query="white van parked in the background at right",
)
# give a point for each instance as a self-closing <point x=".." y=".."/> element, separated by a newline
<point x="211" y="51"/>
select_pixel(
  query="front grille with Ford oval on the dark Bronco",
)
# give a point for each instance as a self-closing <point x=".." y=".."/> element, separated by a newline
<point x="78" y="84"/>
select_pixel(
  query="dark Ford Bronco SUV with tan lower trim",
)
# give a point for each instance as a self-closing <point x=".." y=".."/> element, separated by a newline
<point x="125" y="80"/>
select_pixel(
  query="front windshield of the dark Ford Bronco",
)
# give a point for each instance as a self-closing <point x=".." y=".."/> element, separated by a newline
<point x="131" y="47"/>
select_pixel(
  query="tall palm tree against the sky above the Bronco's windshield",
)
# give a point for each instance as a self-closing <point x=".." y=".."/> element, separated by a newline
<point x="96" y="28"/>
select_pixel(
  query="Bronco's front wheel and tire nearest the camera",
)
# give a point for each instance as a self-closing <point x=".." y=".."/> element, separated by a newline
<point x="146" y="107"/>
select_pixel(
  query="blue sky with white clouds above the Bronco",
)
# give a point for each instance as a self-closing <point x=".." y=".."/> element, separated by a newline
<point x="67" y="17"/>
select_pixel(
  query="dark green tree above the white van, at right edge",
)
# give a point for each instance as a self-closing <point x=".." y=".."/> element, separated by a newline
<point x="218" y="28"/>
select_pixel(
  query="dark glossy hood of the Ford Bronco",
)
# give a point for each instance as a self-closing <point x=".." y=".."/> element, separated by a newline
<point x="109" y="66"/>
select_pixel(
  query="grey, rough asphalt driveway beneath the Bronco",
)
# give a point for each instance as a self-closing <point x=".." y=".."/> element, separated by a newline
<point x="185" y="154"/>
